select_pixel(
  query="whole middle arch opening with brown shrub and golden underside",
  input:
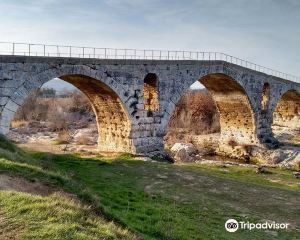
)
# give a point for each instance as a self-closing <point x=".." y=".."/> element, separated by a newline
<point x="227" y="113"/>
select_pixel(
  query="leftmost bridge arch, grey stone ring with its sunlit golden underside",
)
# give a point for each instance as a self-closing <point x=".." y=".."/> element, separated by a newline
<point x="107" y="100"/>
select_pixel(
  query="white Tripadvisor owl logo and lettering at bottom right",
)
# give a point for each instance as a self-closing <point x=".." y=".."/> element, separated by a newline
<point x="233" y="225"/>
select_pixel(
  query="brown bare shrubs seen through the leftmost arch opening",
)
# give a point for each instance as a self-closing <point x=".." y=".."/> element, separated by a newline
<point x="73" y="108"/>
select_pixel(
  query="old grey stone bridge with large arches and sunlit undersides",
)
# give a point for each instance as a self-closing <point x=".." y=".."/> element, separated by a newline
<point x="133" y="100"/>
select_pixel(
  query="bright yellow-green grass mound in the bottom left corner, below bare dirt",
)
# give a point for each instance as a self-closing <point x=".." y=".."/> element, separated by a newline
<point x="55" y="217"/>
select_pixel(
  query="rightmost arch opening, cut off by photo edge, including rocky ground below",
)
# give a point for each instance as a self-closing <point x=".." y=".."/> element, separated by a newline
<point x="286" y="118"/>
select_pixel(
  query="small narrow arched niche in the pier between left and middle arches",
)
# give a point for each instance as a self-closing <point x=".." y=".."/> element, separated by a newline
<point x="150" y="92"/>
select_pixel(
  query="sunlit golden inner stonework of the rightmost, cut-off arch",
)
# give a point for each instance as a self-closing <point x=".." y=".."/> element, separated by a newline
<point x="287" y="110"/>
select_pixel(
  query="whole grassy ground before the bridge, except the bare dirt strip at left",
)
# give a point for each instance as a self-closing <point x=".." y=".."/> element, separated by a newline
<point x="130" y="198"/>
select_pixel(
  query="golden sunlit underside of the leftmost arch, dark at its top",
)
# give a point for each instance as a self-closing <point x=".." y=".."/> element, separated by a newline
<point x="114" y="127"/>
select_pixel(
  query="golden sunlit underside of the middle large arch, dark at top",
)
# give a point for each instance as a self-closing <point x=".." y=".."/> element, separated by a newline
<point x="237" y="121"/>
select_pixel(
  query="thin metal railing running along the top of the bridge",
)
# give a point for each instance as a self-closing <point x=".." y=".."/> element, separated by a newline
<point x="28" y="49"/>
